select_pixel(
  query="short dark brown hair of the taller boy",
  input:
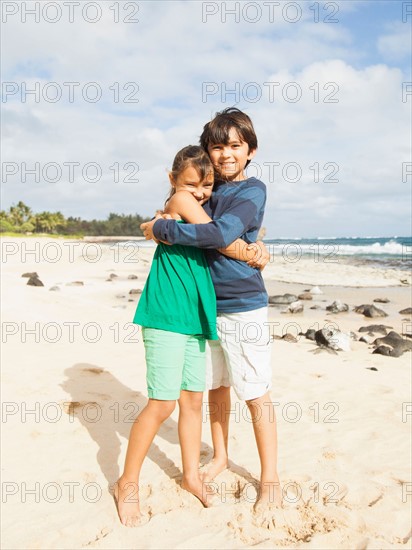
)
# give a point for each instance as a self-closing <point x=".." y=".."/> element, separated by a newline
<point x="217" y="130"/>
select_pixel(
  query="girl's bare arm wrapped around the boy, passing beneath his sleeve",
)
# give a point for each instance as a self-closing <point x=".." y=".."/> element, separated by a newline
<point x="184" y="205"/>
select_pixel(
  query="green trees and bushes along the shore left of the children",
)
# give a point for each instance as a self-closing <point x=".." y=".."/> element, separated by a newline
<point x="20" y="219"/>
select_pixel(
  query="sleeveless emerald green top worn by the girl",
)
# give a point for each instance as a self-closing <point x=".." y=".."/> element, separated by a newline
<point x="179" y="295"/>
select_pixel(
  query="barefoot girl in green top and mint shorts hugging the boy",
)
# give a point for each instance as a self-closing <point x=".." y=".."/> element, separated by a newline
<point x="177" y="310"/>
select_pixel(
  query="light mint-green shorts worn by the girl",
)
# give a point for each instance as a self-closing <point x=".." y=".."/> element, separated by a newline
<point x="174" y="362"/>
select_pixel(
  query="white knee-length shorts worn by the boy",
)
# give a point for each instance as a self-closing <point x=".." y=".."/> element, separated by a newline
<point x="242" y="356"/>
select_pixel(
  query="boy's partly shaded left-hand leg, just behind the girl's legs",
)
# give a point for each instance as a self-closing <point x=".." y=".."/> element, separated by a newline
<point x="219" y="407"/>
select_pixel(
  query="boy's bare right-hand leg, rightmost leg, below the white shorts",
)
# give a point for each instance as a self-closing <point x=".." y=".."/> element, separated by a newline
<point x="263" y="417"/>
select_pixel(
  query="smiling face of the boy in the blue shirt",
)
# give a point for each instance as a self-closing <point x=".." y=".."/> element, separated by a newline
<point x="230" y="160"/>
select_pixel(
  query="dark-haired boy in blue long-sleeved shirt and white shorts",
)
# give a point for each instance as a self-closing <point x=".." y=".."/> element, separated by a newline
<point x="241" y="358"/>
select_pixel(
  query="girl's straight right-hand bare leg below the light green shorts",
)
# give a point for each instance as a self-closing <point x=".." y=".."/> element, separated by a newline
<point x="190" y="431"/>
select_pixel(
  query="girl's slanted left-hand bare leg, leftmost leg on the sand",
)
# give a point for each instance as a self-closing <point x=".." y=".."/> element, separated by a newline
<point x="142" y="434"/>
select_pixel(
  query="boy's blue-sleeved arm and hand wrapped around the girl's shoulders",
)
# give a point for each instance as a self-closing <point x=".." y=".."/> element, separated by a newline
<point x="219" y="233"/>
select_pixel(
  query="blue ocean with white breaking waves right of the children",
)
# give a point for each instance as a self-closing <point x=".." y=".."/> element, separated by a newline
<point x="388" y="252"/>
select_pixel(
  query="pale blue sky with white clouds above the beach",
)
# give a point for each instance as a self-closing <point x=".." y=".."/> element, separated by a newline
<point x="97" y="97"/>
